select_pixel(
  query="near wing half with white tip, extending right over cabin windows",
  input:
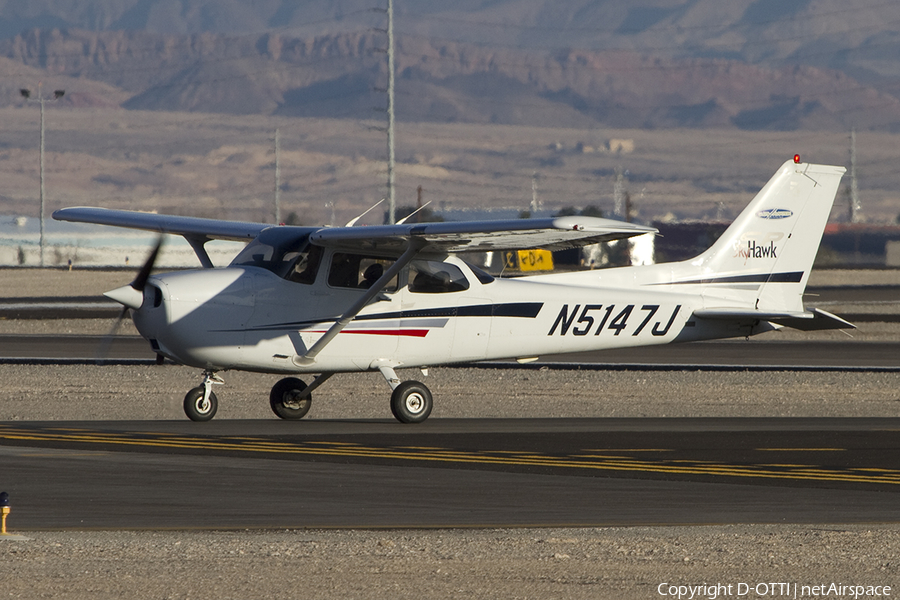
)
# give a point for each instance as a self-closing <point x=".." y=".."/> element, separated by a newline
<point x="480" y="236"/>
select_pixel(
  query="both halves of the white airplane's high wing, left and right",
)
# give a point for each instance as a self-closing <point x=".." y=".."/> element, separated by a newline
<point x="431" y="238"/>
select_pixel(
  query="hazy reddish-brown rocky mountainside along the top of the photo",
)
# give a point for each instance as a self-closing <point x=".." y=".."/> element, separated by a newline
<point x="750" y="64"/>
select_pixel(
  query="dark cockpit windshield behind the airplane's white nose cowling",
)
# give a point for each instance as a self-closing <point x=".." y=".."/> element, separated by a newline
<point x="286" y="252"/>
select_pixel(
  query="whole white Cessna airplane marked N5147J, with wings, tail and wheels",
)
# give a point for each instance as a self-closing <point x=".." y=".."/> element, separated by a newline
<point x="329" y="300"/>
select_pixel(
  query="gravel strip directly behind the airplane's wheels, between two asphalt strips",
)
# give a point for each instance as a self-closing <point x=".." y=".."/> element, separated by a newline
<point x="71" y="392"/>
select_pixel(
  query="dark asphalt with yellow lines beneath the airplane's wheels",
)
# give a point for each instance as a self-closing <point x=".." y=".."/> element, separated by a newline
<point x="450" y="472"/>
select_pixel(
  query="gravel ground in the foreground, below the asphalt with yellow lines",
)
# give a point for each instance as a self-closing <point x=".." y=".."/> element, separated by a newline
<point x="622" y="563"/>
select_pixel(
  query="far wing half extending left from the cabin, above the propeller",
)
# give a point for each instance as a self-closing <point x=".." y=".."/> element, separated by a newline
<point x="189" y="227"/>
